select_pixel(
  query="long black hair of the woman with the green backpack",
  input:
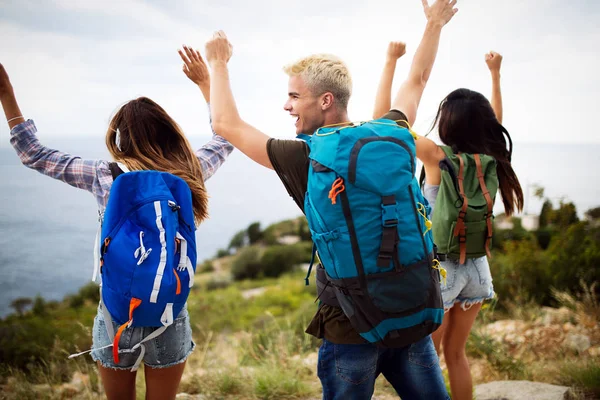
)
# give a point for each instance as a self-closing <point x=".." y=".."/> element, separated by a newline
<point x="467" y="123"/>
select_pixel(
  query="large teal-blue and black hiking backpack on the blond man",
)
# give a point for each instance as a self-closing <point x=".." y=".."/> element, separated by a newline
<point x="368" y="221"/>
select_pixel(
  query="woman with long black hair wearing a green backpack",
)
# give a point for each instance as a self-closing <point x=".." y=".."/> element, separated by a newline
<point x="475" y="160"/>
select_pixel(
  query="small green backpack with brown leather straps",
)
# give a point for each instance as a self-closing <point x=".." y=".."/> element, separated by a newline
<point x="462" y="219"/>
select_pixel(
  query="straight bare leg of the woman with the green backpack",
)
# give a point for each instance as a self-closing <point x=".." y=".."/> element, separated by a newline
<point x="454" y="342"/>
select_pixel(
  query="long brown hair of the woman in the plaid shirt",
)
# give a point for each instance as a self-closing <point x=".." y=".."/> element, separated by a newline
<point x="143" y="136"/>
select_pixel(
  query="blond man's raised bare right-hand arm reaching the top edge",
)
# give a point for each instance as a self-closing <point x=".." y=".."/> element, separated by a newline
<point x="409" y="95"/>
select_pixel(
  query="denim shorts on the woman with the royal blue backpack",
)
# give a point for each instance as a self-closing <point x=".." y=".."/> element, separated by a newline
<point x="170" y="348"/>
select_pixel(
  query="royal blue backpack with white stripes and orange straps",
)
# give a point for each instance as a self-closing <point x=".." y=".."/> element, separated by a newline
<point x="147" y="253"/>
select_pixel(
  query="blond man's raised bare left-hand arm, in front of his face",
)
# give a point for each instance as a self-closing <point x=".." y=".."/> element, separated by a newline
<point x="225" y="117"/>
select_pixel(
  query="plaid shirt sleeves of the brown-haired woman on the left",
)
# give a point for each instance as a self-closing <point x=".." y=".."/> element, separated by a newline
<point x="94" y="175"/>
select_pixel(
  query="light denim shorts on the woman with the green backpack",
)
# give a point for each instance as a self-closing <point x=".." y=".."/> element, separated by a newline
<point x="468" y="283"/>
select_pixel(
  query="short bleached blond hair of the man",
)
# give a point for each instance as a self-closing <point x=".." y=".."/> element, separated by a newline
<point x="324" y="73"/>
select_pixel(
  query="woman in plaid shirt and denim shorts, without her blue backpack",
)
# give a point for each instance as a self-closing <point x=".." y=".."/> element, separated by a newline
<point x="141" y="136"/>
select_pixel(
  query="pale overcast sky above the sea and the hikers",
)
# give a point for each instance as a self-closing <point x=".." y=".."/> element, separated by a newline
<point x="73" y="62"/>
